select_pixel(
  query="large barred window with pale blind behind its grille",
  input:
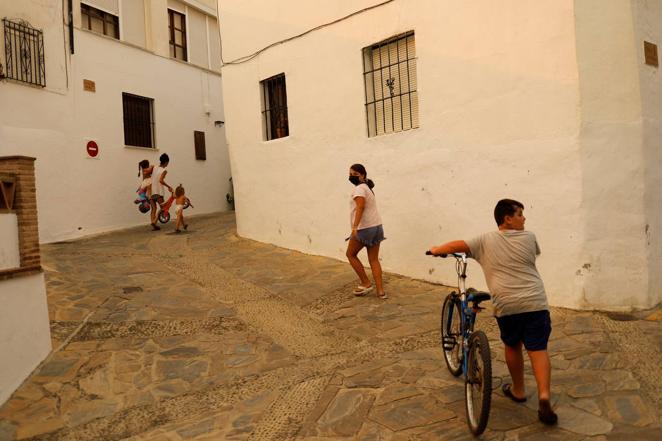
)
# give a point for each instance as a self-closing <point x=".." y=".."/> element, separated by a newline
<point x="391" y="96"/>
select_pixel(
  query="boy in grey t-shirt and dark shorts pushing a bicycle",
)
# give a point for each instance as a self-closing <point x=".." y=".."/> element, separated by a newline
<point x="508" y="258"/>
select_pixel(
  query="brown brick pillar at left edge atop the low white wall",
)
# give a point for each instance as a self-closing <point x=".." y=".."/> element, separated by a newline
<point x="25" y="207"/>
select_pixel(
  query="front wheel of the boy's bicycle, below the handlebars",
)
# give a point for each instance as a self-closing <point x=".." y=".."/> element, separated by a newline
<point x="451" y="334"/>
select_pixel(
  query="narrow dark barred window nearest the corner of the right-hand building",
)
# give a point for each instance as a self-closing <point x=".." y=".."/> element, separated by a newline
<point x="274" y="107"/>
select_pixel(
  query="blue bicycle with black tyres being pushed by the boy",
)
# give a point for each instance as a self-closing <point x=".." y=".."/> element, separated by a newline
<point x="465" y="350"/>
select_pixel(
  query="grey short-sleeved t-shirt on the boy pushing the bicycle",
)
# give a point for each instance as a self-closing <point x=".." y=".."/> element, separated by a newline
<point x="508" y="259"/>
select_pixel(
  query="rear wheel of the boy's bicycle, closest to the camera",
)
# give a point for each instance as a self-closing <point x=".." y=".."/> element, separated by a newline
<point x="478" y="385"/>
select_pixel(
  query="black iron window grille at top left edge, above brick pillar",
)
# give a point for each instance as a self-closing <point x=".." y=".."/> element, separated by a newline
<point x="24" y="53"/>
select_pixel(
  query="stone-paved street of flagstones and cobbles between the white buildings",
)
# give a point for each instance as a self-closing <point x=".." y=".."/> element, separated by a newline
<point x="208" y="336"/>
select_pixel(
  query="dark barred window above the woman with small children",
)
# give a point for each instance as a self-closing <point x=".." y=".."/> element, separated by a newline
<point x="138" y="120"/>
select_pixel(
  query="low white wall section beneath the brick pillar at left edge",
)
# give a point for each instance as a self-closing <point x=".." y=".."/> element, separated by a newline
<point x="24" y="330"/>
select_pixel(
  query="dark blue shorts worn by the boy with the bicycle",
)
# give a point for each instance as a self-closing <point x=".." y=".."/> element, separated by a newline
<point x="531" y="328"/>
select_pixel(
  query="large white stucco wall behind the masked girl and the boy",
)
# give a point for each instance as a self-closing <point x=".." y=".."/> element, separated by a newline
<point x="536" y="101"/>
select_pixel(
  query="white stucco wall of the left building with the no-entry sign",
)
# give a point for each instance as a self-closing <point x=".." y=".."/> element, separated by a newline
<point x="78" y="195"/>
